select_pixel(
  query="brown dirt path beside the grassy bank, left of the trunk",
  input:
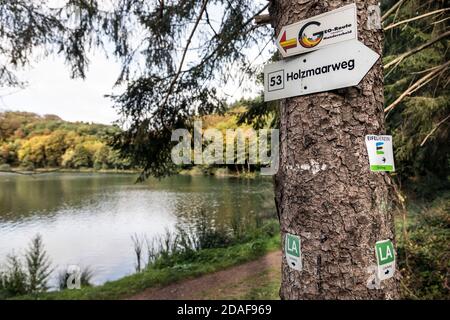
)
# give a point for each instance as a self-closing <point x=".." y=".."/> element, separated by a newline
<point x="254" y="279"/>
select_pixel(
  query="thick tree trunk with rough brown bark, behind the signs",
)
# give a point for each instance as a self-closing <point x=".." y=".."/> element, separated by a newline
<point x="325" y="192"/>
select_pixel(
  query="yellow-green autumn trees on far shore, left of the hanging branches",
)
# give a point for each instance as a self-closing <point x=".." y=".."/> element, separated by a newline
<point x="32" y="141"/>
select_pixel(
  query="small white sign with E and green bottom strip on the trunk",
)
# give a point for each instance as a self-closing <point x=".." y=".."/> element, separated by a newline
<point x="381" y="155"/>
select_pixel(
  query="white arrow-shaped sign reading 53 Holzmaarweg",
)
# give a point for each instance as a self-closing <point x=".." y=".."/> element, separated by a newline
<point x="337" y="66"/>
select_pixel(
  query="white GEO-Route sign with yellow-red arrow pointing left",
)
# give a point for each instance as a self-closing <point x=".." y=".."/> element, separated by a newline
<point x="319" y="31"/>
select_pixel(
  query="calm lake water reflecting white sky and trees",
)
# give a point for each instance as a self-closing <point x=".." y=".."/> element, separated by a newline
<point x="88" y="219"/>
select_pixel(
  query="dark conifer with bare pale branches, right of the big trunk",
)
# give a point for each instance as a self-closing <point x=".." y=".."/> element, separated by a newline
<point x="419" y="120"/>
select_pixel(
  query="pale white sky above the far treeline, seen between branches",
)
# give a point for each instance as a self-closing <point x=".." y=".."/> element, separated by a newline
<point x="50" y="90"/>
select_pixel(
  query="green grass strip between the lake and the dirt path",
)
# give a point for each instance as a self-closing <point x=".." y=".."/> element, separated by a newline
<point x="202" y="262"/>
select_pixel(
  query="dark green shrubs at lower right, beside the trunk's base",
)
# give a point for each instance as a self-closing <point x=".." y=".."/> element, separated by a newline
<point x="424" y="255"/>
